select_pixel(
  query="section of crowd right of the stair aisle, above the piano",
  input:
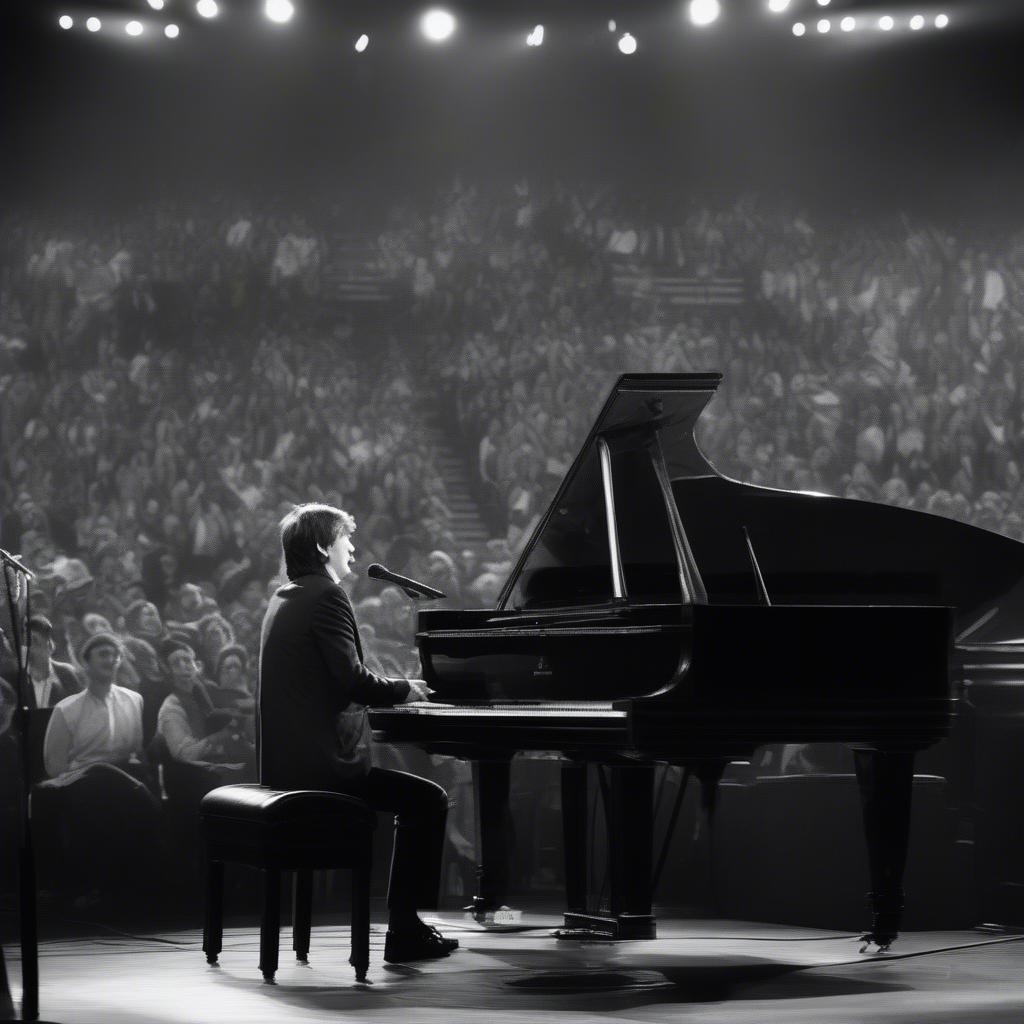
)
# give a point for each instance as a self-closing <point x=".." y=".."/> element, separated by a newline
<point x="876" y="359"/>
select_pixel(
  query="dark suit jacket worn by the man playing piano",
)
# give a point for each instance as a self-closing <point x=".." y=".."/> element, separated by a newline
<point x="311" y="669"/>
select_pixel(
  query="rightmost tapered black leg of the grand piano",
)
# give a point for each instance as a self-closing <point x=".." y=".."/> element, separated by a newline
<point x="886" y="780"/>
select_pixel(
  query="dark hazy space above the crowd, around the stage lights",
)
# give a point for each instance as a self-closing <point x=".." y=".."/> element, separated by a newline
<point x="907" y="119"/>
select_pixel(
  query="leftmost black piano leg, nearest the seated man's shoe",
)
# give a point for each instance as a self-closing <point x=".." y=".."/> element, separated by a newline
<point x="494" y="830"/>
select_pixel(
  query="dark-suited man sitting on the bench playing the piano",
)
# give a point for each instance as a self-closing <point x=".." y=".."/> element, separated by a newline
<point x="313" y="728"/>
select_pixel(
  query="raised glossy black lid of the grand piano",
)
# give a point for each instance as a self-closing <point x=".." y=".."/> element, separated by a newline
<point x="812" y="549"/>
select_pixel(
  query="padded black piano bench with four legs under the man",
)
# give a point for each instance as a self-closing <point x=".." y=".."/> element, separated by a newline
<point x="279" y="831"/>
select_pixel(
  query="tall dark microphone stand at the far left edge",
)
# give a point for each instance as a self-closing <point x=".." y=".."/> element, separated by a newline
<point x="28" y="920"/>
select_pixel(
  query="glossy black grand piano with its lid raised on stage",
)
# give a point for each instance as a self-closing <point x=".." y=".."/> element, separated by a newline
<point x="662" y="614"/>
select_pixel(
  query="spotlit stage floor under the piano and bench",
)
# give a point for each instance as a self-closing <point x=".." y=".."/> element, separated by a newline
<point x="714" y="971"/>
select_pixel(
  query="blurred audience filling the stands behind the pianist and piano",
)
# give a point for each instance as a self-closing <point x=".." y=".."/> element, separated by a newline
<point x="170" y="383"/>
